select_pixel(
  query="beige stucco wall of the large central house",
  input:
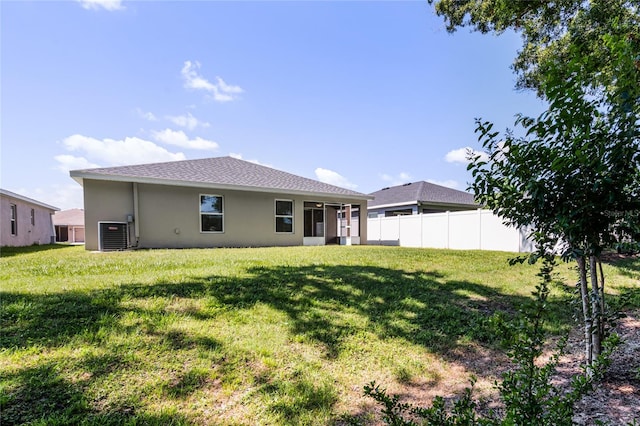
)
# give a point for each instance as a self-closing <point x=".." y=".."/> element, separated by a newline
<point x="168" y="216"/>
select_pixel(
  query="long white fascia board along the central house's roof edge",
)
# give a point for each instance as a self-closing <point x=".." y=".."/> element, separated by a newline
<point x="79" y="176"/>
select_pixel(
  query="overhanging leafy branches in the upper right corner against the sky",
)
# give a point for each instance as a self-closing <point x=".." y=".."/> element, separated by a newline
<point x="552" y="32"/>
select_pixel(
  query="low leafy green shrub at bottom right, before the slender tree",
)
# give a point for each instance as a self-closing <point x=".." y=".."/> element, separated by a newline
<point x="527" y="393"/>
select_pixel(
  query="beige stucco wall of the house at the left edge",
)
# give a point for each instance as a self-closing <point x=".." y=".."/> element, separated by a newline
<point x="40" y="233"/>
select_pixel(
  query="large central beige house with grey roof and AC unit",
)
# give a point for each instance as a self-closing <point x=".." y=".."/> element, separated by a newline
<point x="215" y="202"/>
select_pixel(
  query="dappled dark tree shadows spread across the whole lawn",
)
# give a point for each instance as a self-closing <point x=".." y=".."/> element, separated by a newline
<point x="319" y="301"/>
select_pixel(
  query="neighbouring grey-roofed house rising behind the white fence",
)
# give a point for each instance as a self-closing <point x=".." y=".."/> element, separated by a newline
<point x="417" y="198"/>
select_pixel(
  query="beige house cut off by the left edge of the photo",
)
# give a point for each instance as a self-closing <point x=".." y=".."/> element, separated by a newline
<point x="25" y="221"/>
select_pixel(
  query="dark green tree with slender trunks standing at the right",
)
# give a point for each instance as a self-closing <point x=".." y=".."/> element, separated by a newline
<point x="574" y="177"/>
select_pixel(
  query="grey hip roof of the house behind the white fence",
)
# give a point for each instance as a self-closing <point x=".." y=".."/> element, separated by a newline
<point x="420" y="193"/>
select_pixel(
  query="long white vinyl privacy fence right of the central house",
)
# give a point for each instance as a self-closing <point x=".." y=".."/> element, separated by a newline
<point x="472" y="230"/>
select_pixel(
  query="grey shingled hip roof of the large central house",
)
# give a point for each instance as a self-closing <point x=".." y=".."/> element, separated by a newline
<point x="219" y="172"/>
